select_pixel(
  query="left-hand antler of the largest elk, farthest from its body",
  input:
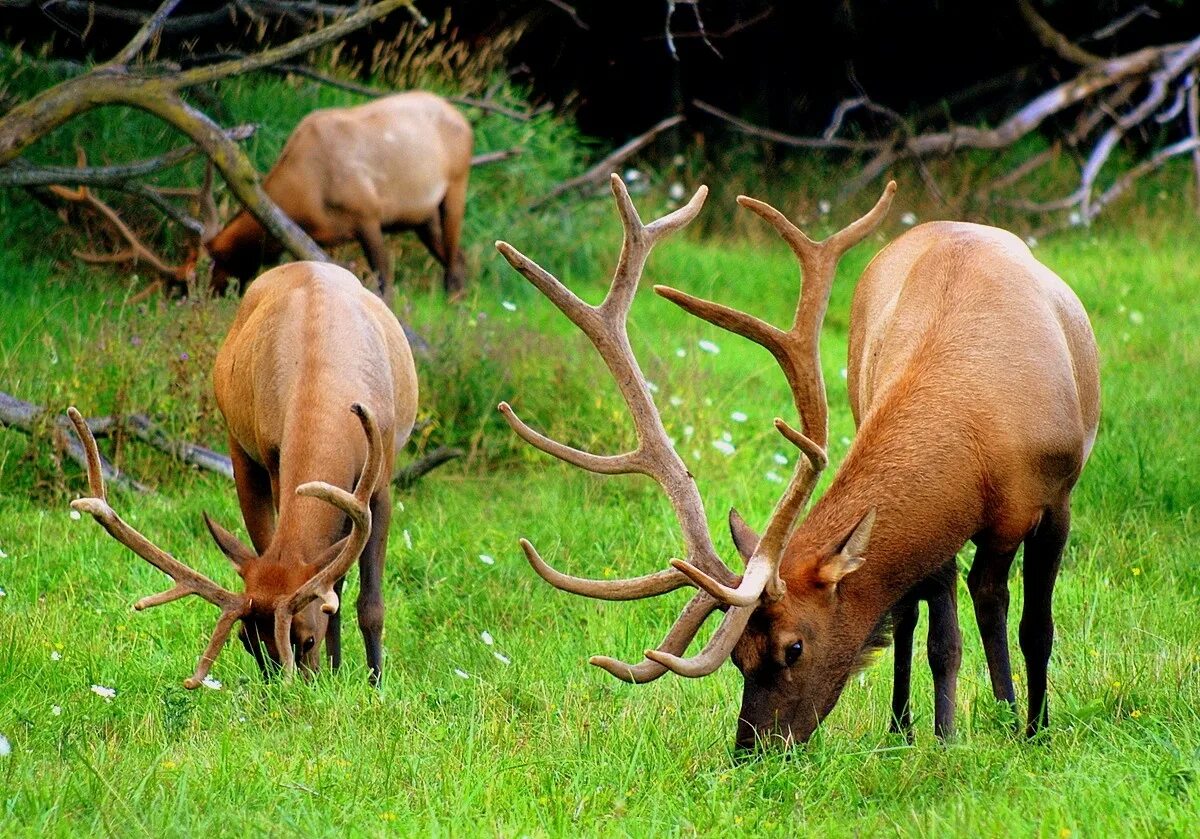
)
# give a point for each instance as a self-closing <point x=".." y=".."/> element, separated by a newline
<point x="655" y="457"/>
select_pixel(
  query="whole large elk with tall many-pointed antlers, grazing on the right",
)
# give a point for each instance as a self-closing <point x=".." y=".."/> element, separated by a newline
<point x="974" y="381"/>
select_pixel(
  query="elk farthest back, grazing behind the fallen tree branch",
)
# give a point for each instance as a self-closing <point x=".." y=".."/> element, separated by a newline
<point x="351" y="175"/>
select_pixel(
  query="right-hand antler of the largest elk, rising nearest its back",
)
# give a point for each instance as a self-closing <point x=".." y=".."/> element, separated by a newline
<point x="799" y="353"/>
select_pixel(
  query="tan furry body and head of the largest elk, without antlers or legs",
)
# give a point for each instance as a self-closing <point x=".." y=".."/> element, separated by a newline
<point x="974" y="380"/>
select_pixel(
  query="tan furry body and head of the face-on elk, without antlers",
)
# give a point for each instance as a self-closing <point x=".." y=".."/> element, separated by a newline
<point x="308" y="343"/>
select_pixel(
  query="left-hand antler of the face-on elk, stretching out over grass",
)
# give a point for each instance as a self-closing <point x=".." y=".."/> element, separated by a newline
<point x="188" y="582"/>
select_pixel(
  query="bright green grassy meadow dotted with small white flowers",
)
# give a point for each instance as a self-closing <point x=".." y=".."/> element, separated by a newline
<point x="490" y="722"/>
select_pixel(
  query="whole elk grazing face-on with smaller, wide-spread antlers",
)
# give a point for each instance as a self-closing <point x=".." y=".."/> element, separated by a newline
<point x="311" y="363"/>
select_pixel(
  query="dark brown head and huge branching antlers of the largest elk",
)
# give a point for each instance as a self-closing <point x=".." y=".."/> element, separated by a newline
<point x="783" y="615"/>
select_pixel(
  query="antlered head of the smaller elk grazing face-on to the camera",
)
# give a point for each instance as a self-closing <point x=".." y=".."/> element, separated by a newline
<point x="281" y="612"/>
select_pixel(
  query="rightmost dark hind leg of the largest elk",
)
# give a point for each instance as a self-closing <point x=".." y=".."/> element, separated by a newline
<point x="1043" y="555"/>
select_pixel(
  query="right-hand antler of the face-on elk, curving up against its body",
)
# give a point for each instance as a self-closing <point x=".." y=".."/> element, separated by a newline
<point x="358" y="507"/>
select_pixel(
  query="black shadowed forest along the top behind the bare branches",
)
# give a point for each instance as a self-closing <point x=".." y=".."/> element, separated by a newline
<point x="779" y="64"/>
